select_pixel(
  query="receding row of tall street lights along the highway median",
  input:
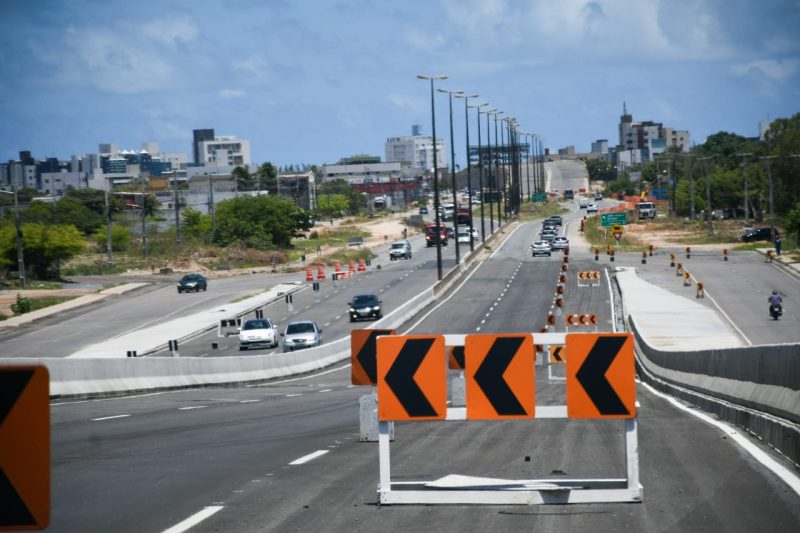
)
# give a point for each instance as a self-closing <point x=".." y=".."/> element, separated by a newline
<point x="511" y="158"/>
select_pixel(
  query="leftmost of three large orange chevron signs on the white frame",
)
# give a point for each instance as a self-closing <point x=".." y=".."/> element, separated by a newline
<point x="412" y="377"/>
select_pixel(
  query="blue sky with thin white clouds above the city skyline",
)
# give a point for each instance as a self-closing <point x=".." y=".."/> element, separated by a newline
<point x="311" y="81"/>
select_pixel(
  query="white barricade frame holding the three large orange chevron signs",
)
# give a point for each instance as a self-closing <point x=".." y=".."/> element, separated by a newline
<point x="470" y="490"/>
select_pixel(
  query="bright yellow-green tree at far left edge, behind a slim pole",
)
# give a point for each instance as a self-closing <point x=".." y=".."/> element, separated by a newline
<point x="45" y="246"/>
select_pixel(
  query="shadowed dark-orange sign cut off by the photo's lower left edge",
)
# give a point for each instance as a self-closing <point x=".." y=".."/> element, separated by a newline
<point x="24" y="448"/>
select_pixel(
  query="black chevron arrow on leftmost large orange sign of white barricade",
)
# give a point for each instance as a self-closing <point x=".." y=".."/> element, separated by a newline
<point x="400" y="378"/>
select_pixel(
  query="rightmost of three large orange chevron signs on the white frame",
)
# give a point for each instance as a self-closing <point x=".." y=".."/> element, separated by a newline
<point x="600" y="375"/>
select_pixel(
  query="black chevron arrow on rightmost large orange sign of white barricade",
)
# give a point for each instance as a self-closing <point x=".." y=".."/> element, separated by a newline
<point x="592" y="376"/>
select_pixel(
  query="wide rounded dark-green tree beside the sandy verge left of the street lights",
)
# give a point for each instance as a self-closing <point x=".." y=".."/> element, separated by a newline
<point x="259" y="221"/>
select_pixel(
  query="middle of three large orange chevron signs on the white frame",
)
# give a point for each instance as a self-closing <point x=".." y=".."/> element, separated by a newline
<point x="500" y="376"/>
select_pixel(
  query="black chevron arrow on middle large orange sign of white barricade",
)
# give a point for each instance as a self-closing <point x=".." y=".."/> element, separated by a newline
<point x="489" y="376"/>
